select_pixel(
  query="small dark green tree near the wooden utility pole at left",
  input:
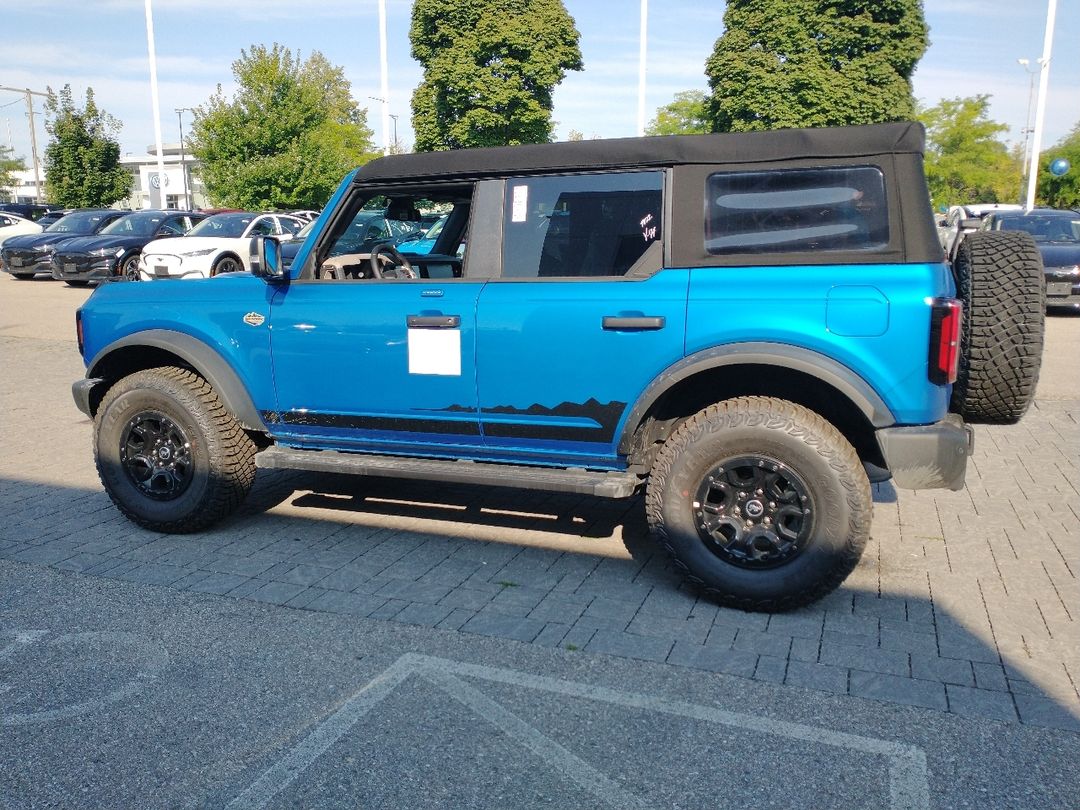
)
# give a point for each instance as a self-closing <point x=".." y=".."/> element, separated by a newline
<point x="83" y="158"/>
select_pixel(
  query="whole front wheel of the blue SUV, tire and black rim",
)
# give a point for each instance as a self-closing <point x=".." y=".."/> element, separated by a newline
<point x="171" y="457"/>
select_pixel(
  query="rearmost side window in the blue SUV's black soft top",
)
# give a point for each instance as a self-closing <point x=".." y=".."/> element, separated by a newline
<point x="790" y="211"/>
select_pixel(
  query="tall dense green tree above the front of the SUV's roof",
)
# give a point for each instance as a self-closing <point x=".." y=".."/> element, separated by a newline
<point x="490" y="71"/>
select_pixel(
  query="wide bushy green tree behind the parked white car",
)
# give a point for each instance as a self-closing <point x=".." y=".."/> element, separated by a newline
<point x="286" y="140"/>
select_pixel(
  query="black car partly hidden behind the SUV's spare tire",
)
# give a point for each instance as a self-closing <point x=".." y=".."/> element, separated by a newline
<point x="1057" y="235"/>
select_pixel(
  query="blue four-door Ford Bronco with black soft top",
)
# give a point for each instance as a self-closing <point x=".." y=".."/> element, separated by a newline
<point x="753" y="328"/>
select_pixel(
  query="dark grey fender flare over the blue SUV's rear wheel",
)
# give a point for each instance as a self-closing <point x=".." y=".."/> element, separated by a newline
<point x="807" y="361"/>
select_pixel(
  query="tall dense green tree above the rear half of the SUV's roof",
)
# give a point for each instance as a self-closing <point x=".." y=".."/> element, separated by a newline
<point x="815" y="63"/>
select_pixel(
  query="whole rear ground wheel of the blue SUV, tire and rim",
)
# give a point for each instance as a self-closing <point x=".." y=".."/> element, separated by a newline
<point x="762" y="503"/>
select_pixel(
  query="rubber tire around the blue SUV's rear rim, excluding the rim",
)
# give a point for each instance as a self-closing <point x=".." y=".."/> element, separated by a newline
<point x="800" y="440"/>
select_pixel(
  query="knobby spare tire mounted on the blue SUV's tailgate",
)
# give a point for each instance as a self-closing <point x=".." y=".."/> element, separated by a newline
<point x="1001" y="280"/>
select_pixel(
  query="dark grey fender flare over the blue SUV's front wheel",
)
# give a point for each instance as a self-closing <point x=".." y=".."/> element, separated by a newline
<point x="205" y="360"/>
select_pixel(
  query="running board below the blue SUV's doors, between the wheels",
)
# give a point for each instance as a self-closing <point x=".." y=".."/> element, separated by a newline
<point x="555" y="480"/>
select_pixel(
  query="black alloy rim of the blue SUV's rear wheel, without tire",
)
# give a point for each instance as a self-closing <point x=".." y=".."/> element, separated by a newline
<point x="754" y="512"/>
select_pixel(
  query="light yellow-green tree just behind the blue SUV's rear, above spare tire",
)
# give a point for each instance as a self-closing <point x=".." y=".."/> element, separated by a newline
<point x="966" y="161"/>
